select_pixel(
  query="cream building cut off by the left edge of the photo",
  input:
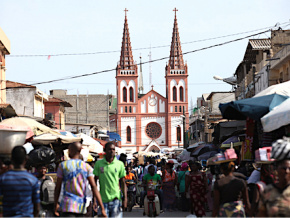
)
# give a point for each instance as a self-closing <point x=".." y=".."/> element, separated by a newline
<point x="4" y="50"/>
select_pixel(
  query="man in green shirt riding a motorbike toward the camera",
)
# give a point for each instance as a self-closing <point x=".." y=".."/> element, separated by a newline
<point x="155" y="179"/>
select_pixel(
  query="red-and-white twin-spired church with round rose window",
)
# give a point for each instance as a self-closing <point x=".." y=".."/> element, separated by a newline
<point x="150" y="122"/>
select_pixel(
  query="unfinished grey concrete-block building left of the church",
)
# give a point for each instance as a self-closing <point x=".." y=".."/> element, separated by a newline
<point x="86" y="112"/>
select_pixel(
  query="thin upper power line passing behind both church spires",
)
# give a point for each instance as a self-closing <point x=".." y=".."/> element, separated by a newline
<point x="145" y="48"/>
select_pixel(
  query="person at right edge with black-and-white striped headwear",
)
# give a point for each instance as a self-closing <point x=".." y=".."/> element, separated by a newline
<point x="275" y="201"/>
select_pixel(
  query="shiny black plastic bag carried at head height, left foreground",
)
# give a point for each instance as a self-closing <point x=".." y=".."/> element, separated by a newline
<point x="41" y="156"/>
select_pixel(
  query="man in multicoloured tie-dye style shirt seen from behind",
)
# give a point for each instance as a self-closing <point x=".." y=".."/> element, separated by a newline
<point x="73" y="175"/>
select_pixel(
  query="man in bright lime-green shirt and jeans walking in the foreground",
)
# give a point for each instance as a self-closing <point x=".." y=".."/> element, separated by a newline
<point x="111" y="172"/>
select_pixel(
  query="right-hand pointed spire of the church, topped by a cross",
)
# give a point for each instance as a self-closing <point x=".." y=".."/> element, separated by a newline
<point x="176" y="57"/>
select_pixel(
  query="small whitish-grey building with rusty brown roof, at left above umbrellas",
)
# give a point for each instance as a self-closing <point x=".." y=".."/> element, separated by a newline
<point x="33" y="103"/>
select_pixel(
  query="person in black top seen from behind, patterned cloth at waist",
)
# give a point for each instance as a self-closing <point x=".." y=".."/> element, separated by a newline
<point x="230" y="193"/>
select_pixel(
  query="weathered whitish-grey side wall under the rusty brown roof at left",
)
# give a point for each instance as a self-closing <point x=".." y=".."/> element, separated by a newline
<point x="22" y="106"/>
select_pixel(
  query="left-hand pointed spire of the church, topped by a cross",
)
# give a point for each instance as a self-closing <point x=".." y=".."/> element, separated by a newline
<point x="126" y="58"/>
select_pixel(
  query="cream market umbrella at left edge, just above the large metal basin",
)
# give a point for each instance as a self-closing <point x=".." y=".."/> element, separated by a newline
<point x="35" y="128"/>
